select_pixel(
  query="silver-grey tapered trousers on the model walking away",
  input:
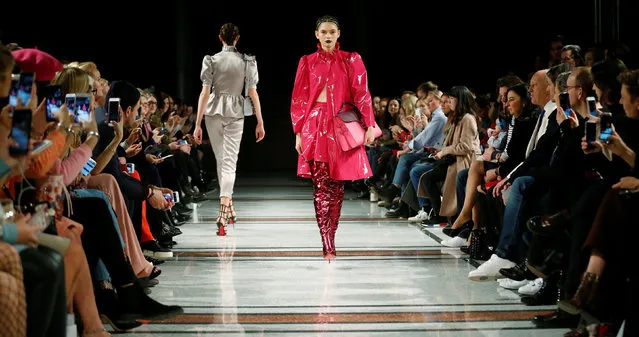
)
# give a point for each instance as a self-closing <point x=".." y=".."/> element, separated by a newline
<point x="225" y="135"/>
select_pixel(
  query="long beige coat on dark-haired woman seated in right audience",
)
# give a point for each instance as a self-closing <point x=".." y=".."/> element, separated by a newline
<point x="463" y="141"/>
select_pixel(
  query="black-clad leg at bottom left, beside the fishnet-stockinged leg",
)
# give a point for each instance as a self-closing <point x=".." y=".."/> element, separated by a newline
<point x="45" y="291"/>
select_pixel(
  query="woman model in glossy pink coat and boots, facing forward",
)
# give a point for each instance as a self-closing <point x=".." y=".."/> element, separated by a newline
<point x="325" y="80"/>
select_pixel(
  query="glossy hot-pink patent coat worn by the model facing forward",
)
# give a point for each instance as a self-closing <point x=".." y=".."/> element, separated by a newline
<point x="344" y="76"/>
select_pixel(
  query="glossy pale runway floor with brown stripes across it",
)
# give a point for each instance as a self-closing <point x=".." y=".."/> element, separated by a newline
<point x="267" y="277"/>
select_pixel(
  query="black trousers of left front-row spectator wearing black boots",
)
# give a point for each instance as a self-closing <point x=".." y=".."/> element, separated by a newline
<point x="100" y="239"/>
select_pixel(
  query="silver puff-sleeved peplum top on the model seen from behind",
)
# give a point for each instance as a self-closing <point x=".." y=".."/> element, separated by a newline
<point x="225" y="73"/>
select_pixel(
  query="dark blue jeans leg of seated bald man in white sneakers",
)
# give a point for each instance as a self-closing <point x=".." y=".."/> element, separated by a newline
<point x="510" y="239"/>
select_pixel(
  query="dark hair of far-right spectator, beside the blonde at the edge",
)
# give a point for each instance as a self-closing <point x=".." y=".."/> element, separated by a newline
<point x="604" y="74"/>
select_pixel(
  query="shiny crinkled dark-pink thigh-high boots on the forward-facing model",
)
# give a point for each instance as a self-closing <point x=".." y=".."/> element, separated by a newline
<point x="327" y="197"/>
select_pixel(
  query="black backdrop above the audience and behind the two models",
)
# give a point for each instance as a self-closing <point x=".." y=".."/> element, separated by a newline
<point x="403" y="43"/>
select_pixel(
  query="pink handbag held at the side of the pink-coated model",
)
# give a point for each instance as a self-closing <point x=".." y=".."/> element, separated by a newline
<point x="349" y="129"/>
